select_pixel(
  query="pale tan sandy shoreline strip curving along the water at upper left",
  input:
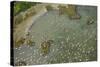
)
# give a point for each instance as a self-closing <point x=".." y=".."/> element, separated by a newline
<point x="24" y="27"/>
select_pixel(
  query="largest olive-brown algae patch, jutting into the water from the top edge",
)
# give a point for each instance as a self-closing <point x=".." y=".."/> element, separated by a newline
<point x="70" y="10"/>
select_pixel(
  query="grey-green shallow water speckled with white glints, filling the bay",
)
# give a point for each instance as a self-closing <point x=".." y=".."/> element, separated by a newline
<point x="74" y="40"/>
